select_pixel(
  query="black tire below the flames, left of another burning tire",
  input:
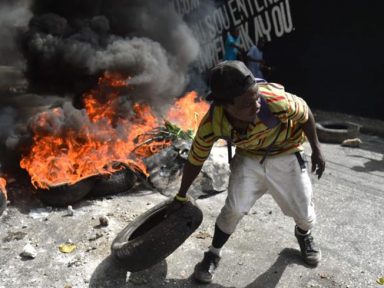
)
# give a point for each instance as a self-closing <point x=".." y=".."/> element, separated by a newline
<point x="65" y="195"/>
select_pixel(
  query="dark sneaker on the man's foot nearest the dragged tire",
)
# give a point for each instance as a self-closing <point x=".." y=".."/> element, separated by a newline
<point x="205" y="269"/>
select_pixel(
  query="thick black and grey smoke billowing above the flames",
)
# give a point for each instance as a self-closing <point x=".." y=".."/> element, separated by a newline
<point x="67" y="44"/>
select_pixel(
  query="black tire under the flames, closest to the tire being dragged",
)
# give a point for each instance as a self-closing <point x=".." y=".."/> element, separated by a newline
<point x="117" y="182"/>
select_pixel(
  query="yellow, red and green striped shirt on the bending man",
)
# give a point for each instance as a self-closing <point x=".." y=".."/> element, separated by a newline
<point x="290" y="110"/>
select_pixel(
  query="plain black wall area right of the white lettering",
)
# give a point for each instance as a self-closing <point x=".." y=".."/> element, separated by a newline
<point x="334" y="58"/>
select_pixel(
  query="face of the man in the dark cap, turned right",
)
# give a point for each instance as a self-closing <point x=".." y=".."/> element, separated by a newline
<point x="245" y="106"/>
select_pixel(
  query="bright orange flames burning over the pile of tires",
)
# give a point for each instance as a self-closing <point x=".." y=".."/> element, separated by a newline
<point x="62" y="154"/>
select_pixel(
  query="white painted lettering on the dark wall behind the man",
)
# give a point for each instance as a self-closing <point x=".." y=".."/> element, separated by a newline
<point x="255" y="19"/>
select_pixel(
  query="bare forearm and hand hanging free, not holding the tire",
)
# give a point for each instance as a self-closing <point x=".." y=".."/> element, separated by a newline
<point x="309" y="128"/>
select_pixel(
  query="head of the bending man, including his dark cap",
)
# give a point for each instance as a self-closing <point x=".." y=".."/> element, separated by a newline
<point x="234" y="87"/>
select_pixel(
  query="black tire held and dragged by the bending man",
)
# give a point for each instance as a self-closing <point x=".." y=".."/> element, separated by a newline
<point x="151" y="237"/>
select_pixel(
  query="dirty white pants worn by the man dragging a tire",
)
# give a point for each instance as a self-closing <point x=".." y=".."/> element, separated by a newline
<point x="280" y="176"/>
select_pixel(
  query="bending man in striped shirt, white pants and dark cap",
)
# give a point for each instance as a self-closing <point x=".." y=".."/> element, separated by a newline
<point x="268" y="127"/>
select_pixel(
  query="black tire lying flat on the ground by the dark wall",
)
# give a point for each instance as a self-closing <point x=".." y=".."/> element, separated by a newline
<point x="336" y="132"/>
